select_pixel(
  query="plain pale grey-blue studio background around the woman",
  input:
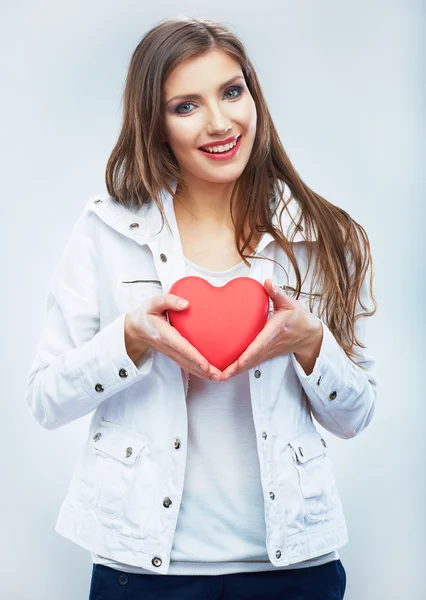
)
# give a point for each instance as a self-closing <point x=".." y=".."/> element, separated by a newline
<point x="345" y="84"/>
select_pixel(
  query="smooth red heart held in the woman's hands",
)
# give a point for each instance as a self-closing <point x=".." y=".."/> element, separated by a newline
<point x="220" y="322"/>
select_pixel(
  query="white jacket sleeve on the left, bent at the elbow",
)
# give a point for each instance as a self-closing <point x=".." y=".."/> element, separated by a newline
<point x="77" y="365"/>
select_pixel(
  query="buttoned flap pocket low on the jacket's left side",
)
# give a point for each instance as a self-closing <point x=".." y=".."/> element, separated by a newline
<point x="109" y="466"/>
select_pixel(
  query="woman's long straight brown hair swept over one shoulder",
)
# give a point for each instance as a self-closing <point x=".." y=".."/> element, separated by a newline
<point x="141" y="166"/>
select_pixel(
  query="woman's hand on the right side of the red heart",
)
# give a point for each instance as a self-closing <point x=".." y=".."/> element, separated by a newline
<point x="291" y="328"/>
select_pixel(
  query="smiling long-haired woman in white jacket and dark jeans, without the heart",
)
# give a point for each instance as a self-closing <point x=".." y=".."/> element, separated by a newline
<point x="218" y="482"/>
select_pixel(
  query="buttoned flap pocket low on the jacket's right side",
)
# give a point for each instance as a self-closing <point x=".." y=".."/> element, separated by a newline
<point x="314" y="471"/>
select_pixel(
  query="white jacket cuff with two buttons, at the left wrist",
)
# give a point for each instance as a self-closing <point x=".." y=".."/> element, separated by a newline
<point x="107" y="366"/>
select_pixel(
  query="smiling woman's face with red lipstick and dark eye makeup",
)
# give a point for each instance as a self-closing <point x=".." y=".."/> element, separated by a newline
<point x="207" y="111"/>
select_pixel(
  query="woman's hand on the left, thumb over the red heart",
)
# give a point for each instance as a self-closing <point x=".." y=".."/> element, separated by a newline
<point x="148" y="324"/>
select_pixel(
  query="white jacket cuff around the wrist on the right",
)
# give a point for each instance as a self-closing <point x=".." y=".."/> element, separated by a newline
<point x="328" y="383"/>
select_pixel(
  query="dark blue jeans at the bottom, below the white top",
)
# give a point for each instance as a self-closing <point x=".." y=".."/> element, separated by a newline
<point x="323" y="582"/>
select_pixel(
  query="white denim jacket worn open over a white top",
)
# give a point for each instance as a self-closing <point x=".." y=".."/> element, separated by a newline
<point x="124" y="497"/>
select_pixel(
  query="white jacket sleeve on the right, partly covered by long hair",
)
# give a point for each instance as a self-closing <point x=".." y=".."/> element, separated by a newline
<point x="342" y="395"/>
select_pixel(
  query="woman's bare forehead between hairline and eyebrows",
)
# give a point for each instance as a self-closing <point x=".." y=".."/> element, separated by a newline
<point x="204" y="72"/>
